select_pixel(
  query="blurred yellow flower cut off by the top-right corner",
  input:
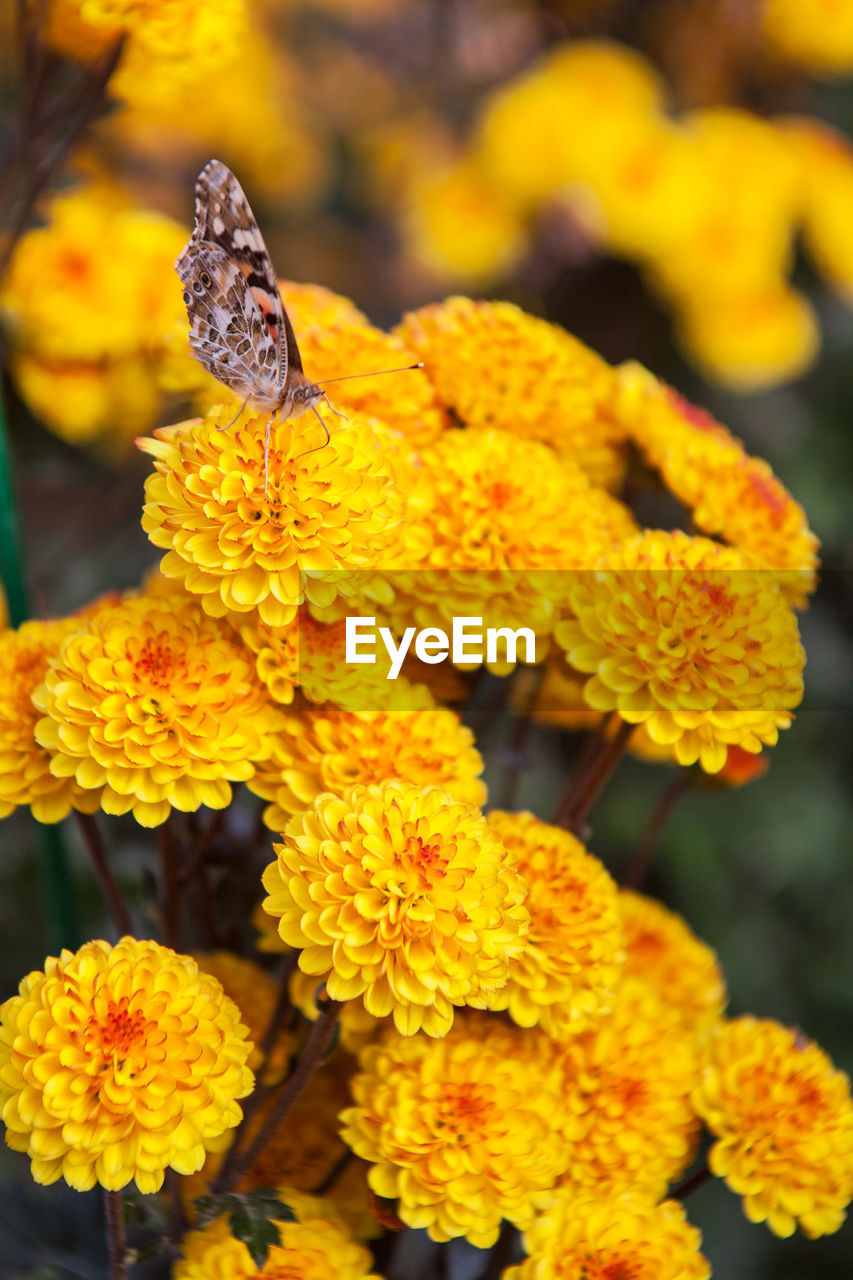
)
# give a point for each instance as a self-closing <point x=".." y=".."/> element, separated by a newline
<point x="816" y="35"/>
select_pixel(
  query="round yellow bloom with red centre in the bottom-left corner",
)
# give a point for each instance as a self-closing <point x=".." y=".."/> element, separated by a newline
<point x="117" y="1063"/>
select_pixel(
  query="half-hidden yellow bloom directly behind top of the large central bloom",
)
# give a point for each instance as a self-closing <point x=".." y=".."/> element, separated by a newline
<point x="330" y="749"/>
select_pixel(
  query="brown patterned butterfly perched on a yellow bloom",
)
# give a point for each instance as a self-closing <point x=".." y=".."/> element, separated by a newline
<point x="240" y="331"/>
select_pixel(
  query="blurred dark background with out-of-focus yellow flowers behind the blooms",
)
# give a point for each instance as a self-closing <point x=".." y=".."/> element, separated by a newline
<point x="673" y="182"/>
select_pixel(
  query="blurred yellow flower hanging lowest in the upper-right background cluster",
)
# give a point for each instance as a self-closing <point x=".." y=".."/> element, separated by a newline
<point x="755" y="340"/>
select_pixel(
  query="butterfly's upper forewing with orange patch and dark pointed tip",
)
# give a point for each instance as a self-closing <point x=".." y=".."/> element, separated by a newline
<point x="225" y="218"/>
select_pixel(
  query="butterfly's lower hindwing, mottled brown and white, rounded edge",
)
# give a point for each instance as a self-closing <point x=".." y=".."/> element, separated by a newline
<point x="229" y="331"/>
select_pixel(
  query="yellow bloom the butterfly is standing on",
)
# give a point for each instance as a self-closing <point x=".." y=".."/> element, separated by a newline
<point x="332" y="511"/>
